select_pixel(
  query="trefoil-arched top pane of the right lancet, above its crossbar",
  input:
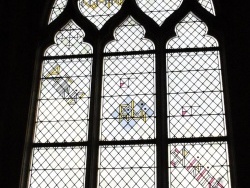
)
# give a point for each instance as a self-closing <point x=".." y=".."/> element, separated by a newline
<point x="191" y="33"/>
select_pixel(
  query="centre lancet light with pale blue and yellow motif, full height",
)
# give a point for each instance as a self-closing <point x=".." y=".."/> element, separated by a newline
<point x="128" y="108"/>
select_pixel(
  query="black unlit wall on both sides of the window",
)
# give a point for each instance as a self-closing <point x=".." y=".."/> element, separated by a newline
<point x="20" y="26"/>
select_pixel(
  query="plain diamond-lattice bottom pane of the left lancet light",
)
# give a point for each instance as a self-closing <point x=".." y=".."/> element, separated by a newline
<point x="58" y="167"/>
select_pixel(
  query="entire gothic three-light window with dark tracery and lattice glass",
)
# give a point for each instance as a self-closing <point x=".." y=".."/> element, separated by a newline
<point x="129" y="94"/>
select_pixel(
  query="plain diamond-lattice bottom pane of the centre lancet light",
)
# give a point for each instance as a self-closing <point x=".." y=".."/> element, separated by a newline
<point x="127" y="166"/>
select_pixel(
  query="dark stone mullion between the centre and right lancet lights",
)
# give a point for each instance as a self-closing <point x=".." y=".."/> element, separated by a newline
<point x="161" y="127"/>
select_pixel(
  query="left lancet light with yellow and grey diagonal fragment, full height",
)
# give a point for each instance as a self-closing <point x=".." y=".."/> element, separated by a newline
<point x="63" y="112"/>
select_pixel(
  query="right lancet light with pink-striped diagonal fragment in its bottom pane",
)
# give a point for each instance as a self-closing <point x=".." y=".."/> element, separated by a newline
<point x="196" y="108"/>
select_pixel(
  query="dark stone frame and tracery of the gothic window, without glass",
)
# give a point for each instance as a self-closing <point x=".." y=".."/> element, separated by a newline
<point x="98" y="39"/>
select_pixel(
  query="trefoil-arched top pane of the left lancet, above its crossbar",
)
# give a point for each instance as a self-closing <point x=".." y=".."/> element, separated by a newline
<point x="69" y="41"/>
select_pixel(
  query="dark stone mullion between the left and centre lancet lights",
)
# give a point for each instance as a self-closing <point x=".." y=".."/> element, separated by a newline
<point x="92" y="149"/>
